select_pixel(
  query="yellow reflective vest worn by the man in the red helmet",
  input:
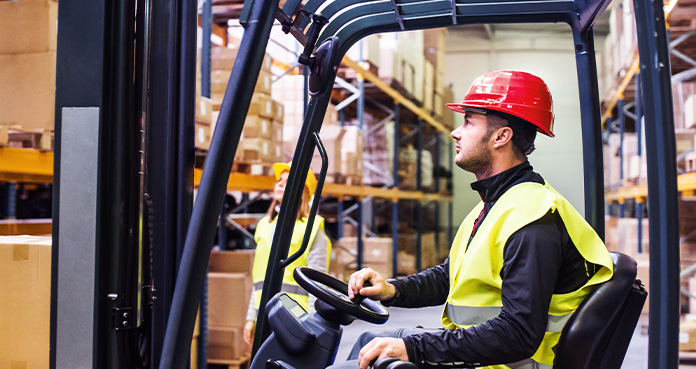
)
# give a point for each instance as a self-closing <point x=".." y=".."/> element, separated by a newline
<point x="475" y="281"/>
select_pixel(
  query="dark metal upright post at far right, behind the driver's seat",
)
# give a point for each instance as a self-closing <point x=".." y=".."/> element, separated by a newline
<point x="655" y="70"/>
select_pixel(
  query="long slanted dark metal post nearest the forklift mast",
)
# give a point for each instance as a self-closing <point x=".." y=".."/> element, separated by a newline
<point x="218" y="164"/>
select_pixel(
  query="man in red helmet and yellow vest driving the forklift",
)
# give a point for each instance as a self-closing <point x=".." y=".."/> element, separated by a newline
<point x="521" y="262"/>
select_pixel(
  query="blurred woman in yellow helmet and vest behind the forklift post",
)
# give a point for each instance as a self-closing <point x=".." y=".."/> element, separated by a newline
<point x="316" y="256"/>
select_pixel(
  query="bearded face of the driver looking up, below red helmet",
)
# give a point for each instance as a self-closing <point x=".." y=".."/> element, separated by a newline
<point x="471" y="144"/>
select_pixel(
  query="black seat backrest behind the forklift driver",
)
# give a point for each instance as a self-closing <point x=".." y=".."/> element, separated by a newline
<point x="598" y="333"/>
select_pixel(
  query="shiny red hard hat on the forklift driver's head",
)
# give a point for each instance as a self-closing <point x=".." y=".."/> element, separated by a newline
<point x="516" y="93"/>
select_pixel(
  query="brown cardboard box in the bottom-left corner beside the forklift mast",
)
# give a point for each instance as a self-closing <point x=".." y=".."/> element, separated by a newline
<point x="25" y="287"/>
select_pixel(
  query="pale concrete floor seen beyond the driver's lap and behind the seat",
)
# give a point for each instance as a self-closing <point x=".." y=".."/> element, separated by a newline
<point x="636" y="356"/>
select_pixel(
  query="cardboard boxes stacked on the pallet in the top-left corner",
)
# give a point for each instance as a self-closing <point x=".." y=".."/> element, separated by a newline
<point x="28" y="64"/>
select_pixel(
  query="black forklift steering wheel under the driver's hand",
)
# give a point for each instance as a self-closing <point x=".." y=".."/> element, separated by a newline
<point x="335" y="293"/>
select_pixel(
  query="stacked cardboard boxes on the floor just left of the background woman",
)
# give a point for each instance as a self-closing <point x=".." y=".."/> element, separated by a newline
<point x="229" y="286"/>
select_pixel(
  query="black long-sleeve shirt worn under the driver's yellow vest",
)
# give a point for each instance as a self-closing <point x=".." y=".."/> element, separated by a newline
<point x="539" y="260"/>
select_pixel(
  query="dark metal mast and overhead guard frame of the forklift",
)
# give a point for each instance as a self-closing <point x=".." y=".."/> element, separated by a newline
<point x="130" y="253"/>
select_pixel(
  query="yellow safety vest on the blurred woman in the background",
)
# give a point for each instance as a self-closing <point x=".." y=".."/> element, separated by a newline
<point x="263" y="237"/>
